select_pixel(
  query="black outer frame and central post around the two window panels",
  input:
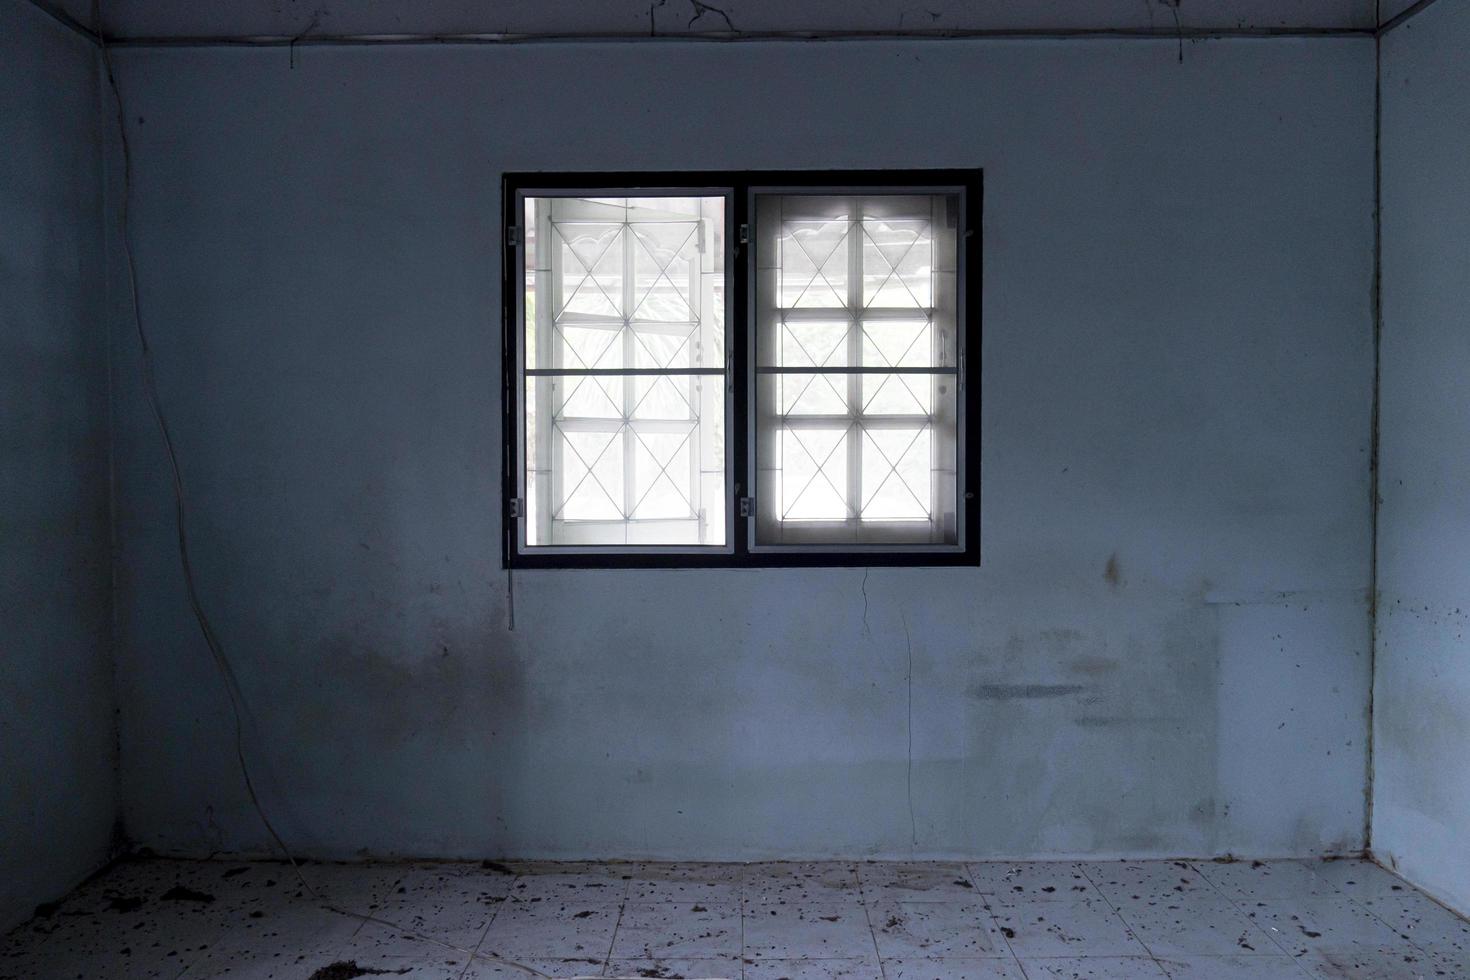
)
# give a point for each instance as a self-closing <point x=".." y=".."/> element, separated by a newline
<point x="740" y="327"/>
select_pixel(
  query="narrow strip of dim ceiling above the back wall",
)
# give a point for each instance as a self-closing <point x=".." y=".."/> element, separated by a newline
<point x="136" y="20"/>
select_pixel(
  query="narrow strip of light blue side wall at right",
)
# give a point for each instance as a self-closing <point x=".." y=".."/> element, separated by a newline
<point x="1422" y="687"/>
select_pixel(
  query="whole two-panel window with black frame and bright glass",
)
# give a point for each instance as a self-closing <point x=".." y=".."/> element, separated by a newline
<point x="742" y="370"/>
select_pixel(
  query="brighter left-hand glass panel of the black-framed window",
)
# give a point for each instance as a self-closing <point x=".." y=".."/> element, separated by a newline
<point x="625" y="372"/>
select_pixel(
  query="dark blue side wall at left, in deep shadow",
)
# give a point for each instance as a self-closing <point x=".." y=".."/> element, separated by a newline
<point x="58" y="778"/>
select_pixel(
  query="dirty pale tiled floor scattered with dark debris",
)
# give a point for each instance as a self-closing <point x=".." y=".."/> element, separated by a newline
<point x="1108" y="920"/>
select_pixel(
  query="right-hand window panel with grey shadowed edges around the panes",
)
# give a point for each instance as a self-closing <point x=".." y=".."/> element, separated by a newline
<point x="856" y="390"/>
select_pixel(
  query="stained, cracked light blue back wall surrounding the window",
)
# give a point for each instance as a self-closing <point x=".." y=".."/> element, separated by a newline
<point x="1177" y="387"/>
